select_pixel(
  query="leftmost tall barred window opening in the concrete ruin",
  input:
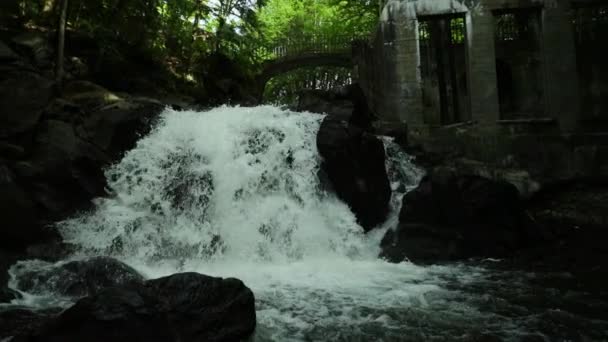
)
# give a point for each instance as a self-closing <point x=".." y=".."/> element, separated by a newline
<point x="443" y="69"/>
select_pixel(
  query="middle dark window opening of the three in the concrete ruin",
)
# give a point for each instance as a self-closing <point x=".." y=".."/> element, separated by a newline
<point x="519" y="63"/>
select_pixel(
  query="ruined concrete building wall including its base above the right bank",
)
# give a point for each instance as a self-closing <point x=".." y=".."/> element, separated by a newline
<point x="551" y="146"/>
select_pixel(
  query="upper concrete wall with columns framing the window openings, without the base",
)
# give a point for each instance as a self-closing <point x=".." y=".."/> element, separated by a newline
<point x="395" y="59"/>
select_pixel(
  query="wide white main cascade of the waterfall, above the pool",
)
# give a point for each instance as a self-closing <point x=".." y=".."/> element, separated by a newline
<point x="232" y="183"/>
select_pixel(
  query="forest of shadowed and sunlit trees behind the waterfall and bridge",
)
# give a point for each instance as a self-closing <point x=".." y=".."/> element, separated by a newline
<point x="209" y="51"/>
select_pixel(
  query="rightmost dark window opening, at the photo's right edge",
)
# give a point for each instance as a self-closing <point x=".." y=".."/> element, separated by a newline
<point x="591" y="30"/>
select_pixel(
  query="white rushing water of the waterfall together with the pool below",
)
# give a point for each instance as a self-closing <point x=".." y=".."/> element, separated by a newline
<point x="234" y="192"/>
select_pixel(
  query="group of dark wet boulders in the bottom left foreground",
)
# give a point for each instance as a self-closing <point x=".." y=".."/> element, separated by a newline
<point x="114" y="302"/>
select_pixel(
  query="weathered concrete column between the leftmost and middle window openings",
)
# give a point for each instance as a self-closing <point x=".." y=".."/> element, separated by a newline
<point x="482" y="66"/>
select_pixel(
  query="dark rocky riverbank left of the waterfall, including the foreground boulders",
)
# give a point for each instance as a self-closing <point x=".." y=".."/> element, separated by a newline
<point x="54" y="145"/>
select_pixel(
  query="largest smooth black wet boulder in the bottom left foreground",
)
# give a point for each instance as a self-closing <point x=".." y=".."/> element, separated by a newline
<point x="182" y="307"/>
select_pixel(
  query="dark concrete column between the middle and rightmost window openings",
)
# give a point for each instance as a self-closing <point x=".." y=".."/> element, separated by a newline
<point x="559" y="57"/>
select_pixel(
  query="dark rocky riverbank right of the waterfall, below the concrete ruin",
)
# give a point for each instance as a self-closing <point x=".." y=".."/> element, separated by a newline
<point x="455" y="214"/>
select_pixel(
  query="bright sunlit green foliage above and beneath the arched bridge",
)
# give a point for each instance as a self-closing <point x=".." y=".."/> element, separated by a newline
<point x="305" y="21"/>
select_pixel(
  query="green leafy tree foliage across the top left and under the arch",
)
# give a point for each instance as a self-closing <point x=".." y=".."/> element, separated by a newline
<point x="186" y="35"/>
